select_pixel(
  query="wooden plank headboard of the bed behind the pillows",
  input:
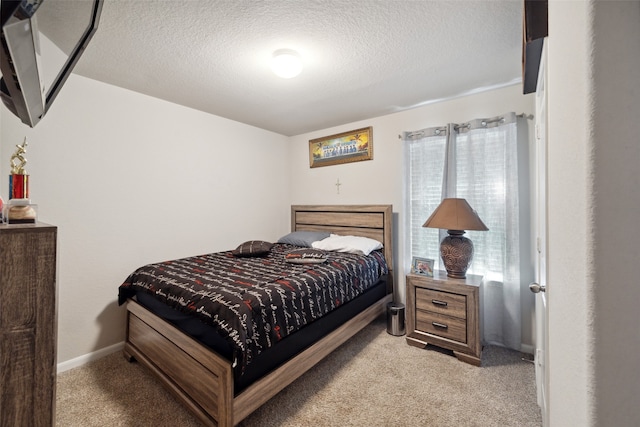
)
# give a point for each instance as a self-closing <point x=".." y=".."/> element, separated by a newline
<point x="373" y="221"/>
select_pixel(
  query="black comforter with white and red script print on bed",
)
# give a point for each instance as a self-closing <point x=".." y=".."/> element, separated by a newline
<point x="255" y="302"/>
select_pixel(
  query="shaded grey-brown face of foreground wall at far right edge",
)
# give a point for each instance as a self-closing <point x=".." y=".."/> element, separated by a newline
<point x="616" y="209"/>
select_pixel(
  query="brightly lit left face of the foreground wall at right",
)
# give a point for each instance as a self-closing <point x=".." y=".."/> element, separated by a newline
<point x="570" y="283"/>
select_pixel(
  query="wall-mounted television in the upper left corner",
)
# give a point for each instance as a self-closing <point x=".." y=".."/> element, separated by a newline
<point x="42" y="41"/>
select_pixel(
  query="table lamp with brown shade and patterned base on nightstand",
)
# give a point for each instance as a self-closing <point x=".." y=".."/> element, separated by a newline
<point x="455" y="216"/>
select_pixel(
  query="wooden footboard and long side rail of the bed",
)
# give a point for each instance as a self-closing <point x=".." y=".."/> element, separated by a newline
<point x="203" y="380"/>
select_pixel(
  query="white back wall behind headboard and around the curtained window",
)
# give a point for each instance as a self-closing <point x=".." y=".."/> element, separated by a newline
<point x="381" y="179"/>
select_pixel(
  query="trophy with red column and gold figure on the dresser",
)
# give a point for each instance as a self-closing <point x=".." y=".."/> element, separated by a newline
<point x="19" y="209"/>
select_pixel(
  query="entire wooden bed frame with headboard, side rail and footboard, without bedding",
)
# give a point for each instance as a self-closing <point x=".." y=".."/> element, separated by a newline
<point x="203" y="380"/>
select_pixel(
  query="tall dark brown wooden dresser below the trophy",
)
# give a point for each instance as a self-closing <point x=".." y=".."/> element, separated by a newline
<point x="27" y="324"/>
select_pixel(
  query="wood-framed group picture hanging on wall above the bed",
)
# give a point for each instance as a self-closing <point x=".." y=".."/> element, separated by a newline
<point x="345" y="147"/>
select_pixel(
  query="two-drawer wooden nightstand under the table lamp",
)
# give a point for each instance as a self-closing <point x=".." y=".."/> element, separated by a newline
<point x="445" y="312"/>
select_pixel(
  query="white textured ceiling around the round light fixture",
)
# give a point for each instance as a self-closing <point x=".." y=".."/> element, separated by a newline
<point x="362" y="58"/>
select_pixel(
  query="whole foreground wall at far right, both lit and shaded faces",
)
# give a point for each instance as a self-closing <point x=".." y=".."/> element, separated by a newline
<point x="594" y="151"/>
